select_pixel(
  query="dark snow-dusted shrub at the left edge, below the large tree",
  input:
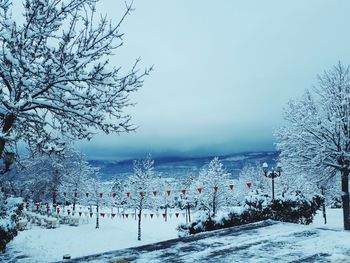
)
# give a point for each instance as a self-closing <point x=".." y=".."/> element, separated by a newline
<point x="10" y="211"/>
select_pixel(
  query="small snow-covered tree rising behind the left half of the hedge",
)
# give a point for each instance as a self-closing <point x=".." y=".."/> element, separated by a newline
<point x="214" y="181"/>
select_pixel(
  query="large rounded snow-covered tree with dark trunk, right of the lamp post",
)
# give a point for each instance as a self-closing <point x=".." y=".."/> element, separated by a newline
<point x="316" y="137"/>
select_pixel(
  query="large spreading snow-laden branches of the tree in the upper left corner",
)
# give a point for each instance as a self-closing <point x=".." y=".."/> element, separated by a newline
<point x="56" y="75"/>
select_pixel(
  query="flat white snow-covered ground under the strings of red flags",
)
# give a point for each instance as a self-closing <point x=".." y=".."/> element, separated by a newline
<point x="46" y="245"/>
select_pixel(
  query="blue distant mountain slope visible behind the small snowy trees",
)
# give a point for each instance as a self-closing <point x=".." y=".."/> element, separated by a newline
<point x="179" y="167"/>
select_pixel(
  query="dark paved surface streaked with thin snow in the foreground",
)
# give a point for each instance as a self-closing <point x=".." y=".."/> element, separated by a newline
<point x="267" y="241"/>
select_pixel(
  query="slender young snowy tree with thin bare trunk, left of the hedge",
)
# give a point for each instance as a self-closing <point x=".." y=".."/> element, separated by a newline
<point x="139" y="186"/>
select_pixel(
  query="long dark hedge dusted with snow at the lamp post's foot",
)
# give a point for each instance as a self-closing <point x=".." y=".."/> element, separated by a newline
<point x="294" y="208"/>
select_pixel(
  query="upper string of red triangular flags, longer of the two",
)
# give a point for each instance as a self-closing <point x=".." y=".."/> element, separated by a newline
<point x="248" y="185"/>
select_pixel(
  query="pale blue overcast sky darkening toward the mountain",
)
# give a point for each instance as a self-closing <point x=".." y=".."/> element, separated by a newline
<point x="224" y="70"/>
